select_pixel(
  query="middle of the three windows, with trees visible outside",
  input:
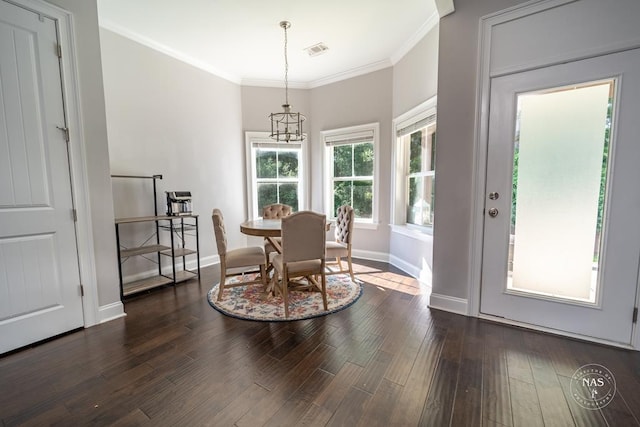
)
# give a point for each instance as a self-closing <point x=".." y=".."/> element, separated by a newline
<point x="351" y="165"/>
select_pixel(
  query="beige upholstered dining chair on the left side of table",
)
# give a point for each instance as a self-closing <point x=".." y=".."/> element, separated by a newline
<point x="251" y="256"/>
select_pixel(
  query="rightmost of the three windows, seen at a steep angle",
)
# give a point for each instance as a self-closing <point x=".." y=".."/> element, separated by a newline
<point x="415" y="147"/>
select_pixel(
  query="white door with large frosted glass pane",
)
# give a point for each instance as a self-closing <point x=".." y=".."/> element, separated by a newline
<point x="554" y="261"/>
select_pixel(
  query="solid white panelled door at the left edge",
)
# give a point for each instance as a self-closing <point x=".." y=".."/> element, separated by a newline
<point x="39" y="274"/>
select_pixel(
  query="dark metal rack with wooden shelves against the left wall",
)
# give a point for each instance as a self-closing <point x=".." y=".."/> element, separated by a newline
<point x="175" y="229"/>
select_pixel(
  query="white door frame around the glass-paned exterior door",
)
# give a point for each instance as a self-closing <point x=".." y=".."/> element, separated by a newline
<point x="481" y="141"/>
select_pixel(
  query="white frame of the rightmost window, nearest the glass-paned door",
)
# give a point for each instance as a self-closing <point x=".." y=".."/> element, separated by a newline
<point x="400" y="164"/>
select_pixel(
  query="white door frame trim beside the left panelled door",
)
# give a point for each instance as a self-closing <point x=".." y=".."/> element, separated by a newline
<point x="77" y="153"/>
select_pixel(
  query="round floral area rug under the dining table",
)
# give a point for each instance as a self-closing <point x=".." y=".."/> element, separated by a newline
<point x="252" y="303"/>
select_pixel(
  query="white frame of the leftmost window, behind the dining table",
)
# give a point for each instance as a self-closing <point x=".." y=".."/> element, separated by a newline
<point x="256" y="140"/>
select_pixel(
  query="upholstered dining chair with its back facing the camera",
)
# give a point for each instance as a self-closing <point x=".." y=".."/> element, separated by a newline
<point x="302" y="257"/>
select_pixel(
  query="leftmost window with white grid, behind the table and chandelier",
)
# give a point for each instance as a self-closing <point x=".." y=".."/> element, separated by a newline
<point x="276" y="173"/>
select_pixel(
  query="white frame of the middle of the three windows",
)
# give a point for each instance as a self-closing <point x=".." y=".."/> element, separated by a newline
<point x="342" y="136"/>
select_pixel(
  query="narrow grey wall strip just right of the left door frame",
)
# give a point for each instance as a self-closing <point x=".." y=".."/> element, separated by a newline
<point x="85" y="19"/>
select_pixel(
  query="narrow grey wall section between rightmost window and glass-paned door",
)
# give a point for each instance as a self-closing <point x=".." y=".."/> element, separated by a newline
<point x="457" y="65"/>
